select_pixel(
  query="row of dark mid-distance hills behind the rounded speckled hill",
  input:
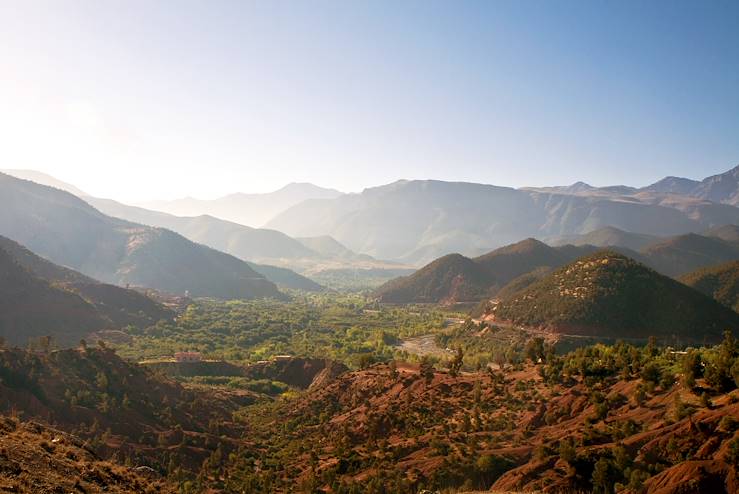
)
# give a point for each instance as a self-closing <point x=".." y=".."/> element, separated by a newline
<point x="455" y="278"/>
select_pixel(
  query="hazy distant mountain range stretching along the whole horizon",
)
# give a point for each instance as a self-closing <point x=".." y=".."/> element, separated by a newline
<point x="414" y="222"/>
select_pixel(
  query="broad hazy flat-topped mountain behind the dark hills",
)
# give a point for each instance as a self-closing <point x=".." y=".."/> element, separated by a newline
<point x="418" y="221"/>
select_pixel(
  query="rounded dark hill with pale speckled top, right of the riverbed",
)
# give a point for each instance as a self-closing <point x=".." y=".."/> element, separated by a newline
<point x="610" y="295"/>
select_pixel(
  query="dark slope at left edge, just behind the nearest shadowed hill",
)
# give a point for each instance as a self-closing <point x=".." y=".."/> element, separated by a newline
<point x="118" y="306"/>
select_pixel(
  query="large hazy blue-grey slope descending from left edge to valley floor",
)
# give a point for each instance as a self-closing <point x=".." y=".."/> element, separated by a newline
<point x="66" y="230"/>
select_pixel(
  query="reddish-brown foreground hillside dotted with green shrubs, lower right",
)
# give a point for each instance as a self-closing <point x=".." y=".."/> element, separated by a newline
<point x="524" y="428"/>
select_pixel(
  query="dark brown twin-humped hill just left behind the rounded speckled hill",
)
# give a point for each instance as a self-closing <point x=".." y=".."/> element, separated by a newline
<point x="456" y="278"/>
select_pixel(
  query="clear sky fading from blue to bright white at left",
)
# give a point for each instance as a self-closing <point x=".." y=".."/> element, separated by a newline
<point x="138" y="100"/>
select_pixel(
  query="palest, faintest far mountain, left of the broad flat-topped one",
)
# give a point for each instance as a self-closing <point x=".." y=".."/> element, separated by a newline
<point x="246" y="209"/>
